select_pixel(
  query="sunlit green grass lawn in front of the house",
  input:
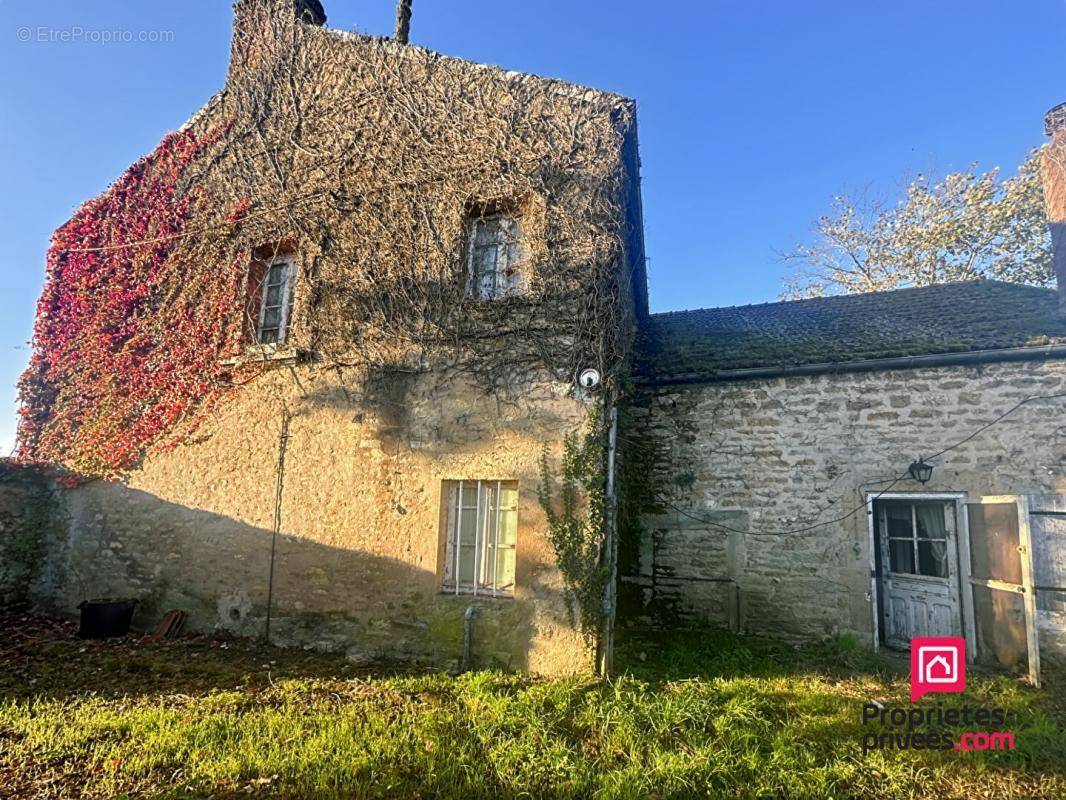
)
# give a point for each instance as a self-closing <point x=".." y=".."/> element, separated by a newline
<point x="699" y="715"/>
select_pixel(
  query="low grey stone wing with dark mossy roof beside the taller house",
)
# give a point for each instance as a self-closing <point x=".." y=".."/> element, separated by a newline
<point x="782" y="435"/>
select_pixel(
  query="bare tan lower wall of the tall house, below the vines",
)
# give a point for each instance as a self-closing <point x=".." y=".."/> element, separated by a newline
<point x="358" y="566"/>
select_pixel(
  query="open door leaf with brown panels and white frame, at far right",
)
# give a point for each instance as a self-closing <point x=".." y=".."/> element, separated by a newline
<point x="1002" y="588"/>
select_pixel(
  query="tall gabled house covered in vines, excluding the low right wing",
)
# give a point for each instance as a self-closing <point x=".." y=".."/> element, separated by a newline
<point x="426" y="253"/>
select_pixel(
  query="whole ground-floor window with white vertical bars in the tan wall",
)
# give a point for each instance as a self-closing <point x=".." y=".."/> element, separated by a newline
<point x="481" y="529"/>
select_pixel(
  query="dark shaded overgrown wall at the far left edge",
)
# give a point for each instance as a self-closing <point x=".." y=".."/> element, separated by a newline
<point x="25" y="520"/>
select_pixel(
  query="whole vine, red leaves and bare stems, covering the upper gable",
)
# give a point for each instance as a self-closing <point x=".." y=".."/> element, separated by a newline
<point x="367" y="161"/>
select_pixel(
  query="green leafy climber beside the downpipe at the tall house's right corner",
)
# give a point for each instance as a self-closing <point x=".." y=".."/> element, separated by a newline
<point x="575" y="504"/>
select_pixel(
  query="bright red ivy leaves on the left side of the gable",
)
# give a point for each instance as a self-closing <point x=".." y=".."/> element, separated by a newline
<point x="128" y="341"/>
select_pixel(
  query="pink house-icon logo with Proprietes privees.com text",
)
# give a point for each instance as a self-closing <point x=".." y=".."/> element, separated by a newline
<point x="938" y="666"/>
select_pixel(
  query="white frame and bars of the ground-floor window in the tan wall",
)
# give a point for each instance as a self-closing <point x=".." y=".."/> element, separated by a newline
<point x="451" y="541"/>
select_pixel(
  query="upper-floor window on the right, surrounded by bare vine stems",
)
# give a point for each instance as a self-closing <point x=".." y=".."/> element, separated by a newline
<point x="493" y="262"/>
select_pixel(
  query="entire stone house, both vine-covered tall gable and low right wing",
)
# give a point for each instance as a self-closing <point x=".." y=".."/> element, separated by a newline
<point x="413" y="283"/>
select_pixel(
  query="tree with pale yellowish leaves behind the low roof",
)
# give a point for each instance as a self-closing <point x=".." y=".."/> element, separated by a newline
<point x="964" y="227"/>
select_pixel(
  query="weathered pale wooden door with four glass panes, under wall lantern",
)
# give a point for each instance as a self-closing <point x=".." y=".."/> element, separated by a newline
<point x="919" y="570"/>
